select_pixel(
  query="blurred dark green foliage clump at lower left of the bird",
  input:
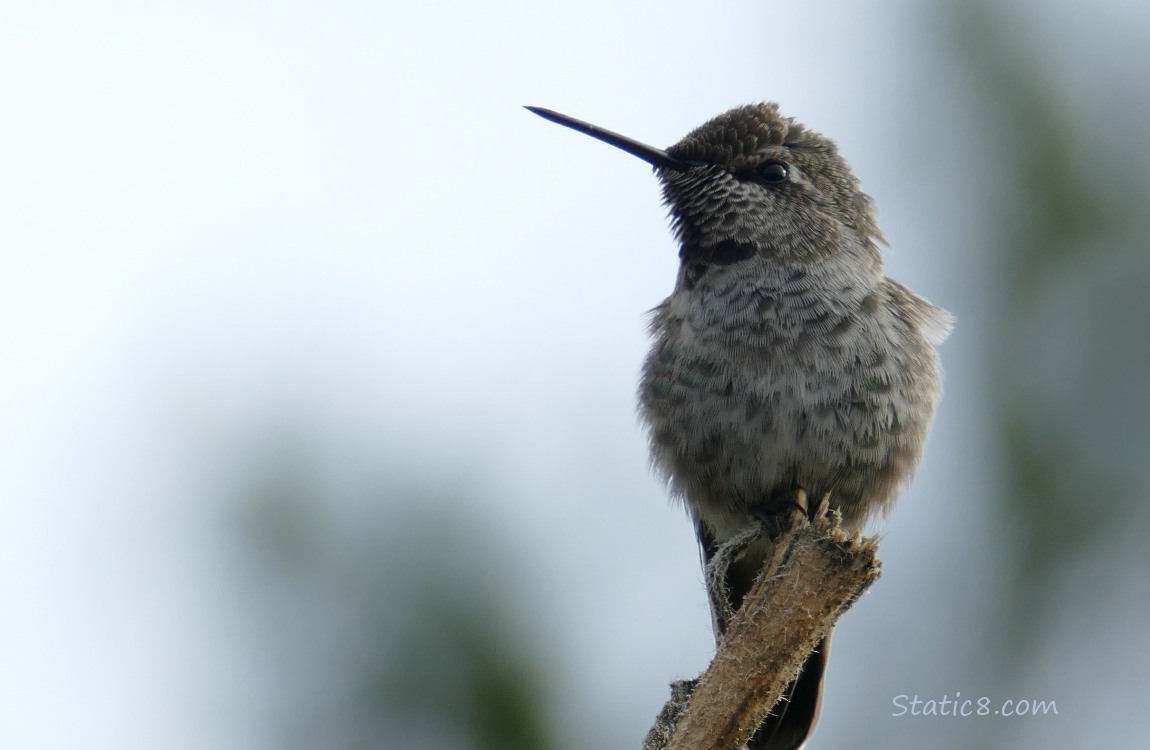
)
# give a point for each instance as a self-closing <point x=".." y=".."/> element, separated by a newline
<point x="395" y="615"/>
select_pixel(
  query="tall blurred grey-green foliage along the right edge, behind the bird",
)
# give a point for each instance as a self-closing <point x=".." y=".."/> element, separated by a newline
<point x="1064" y="211"/>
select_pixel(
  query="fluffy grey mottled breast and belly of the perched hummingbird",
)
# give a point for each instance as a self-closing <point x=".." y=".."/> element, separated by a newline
<point x="754" y="387"/>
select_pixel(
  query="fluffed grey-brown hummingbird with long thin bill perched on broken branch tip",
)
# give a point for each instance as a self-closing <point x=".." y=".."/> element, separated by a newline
<point x="785" y="363"/>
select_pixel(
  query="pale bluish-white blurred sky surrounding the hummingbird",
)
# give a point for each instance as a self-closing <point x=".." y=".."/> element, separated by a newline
<point x="223" y="221"/>
